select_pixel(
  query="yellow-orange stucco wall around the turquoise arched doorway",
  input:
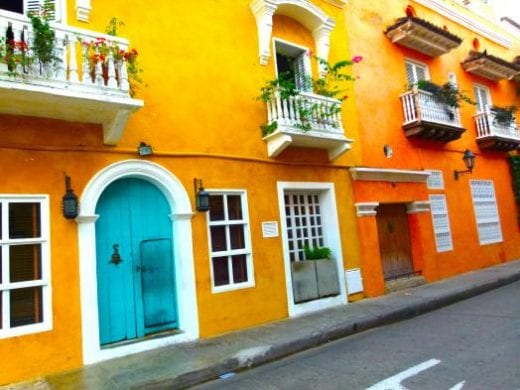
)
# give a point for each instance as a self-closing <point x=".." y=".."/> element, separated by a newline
<point x="202" y="75"/>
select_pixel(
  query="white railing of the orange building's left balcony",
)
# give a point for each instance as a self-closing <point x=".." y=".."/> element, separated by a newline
<point x="421" y="106"/>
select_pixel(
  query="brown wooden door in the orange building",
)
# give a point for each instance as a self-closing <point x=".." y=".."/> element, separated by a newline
<point x="394" y="240"/>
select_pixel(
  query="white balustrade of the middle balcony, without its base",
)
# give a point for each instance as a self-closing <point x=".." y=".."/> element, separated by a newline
<point x="324" y="113"/>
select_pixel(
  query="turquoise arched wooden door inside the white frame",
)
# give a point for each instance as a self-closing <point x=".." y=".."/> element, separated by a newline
<point x="135" y="265"/>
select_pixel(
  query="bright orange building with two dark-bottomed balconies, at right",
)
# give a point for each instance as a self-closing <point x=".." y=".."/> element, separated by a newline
<point x="407" y="131"/>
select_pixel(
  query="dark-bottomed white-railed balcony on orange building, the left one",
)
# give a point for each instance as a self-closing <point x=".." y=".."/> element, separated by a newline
<point x="427" y="118"/>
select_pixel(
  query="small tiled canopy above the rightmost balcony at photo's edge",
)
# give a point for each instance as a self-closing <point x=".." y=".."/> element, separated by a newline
<point x="490" y="67"/>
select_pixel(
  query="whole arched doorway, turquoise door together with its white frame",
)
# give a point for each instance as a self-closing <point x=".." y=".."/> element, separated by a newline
<point x="169" y="202"/>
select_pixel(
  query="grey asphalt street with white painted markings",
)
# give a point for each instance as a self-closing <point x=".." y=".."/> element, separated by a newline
<point x="474" y="344"/>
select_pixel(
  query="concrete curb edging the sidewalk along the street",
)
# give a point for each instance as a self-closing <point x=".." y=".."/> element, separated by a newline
<point x="336" y="331"/>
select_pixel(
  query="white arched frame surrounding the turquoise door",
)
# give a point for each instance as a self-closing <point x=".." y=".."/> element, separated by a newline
<point x="180" y="205"/>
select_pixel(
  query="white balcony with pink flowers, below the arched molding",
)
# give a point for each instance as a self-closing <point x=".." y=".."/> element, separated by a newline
<point x="319" y="129"/>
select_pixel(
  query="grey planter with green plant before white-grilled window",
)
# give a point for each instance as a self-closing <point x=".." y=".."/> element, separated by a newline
<point x="314" y="279"/>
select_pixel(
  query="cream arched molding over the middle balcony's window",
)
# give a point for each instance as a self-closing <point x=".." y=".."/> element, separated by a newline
<point x="308" y="14"/>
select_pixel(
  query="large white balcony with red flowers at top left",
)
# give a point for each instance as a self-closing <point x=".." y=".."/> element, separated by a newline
<point x="74" y="89"/>
